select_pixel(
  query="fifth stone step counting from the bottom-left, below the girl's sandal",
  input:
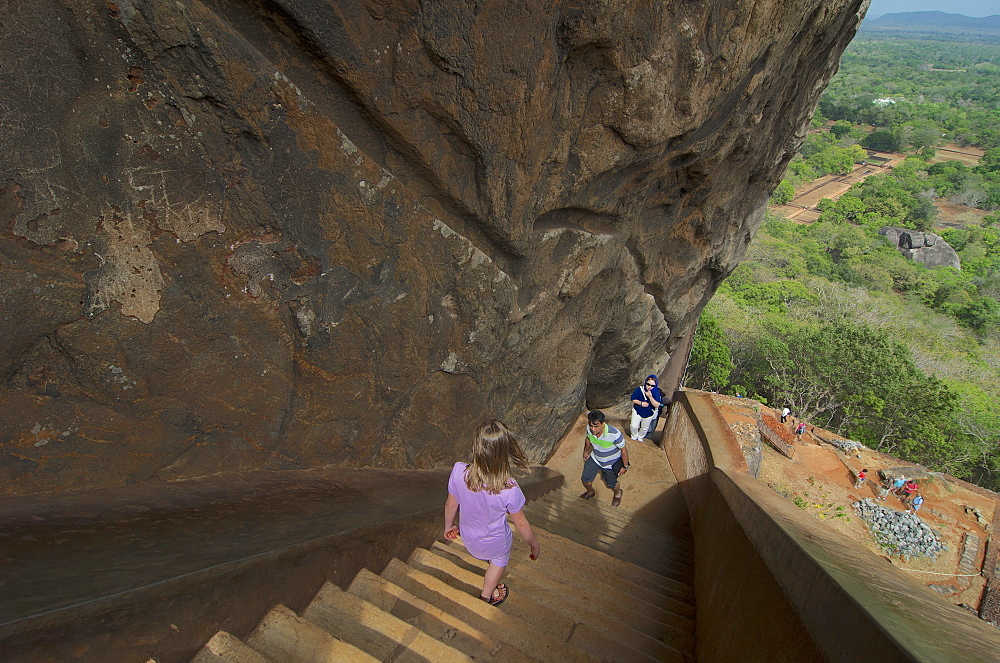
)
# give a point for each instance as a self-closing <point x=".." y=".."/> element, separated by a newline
<point x="532" y="638"/>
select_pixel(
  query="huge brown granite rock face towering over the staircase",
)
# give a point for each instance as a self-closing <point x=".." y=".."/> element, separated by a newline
<point x="306" y="232"/>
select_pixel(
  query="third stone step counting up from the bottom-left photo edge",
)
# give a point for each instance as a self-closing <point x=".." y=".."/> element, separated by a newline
<point x="375" y="631"/>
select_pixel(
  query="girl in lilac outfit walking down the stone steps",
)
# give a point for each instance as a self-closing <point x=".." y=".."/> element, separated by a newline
<point x="481" y="494"/>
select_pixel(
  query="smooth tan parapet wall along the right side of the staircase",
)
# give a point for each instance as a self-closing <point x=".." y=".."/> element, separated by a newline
<point x="837" y="598"/>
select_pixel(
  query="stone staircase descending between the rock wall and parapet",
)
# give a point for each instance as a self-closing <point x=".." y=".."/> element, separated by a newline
<point x="609" y="586"/>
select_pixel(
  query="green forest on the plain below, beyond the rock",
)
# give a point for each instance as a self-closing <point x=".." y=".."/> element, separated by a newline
<point x="831" y="320"/>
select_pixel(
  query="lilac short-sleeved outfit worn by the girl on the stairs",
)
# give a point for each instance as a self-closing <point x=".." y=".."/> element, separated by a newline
<point x="483" y="517"/>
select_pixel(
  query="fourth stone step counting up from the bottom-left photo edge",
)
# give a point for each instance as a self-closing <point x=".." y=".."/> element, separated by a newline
<point x="433" y="621"/>
